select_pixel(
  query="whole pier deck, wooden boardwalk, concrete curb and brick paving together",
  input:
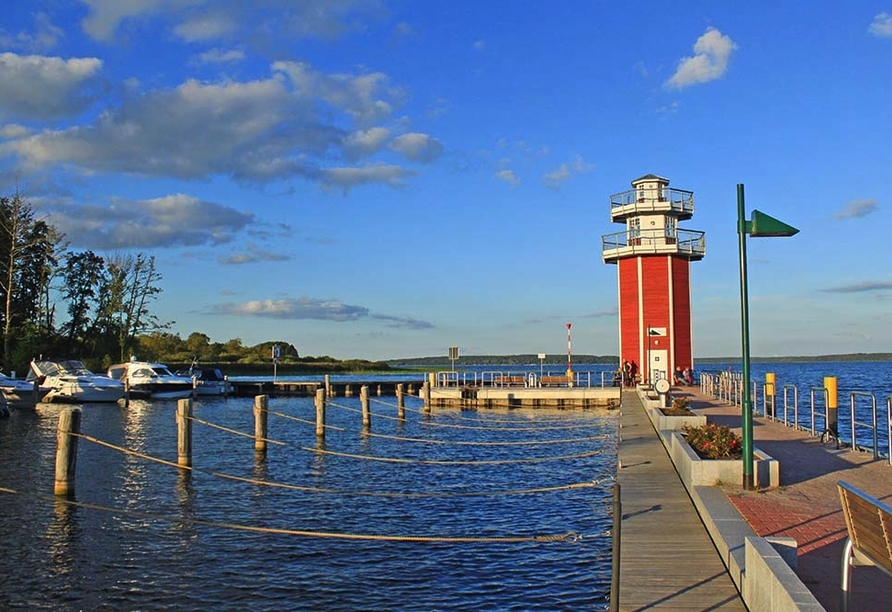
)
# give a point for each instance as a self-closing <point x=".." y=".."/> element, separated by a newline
<point x="777" y="549"/>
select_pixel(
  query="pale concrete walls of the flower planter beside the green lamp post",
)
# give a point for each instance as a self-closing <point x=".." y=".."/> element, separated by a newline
<point x="695" y="471"/>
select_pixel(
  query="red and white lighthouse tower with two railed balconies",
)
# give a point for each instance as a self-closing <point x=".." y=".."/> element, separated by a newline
<point x="653" y="257"/>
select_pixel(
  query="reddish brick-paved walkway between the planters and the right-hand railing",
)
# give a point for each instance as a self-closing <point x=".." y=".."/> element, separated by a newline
<point x="806" y="506"/>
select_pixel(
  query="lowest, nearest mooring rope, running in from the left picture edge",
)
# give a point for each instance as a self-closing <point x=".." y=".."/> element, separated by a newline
<point x="570" y="536"/>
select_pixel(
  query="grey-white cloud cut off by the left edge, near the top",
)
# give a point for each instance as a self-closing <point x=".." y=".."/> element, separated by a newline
<point x="41" y="87"/>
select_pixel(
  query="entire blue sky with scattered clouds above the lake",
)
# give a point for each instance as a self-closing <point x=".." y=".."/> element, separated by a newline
<point x="385" y="179"/>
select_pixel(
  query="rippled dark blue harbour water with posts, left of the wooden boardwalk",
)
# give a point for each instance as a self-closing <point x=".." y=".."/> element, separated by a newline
<point x="151" y="538"/>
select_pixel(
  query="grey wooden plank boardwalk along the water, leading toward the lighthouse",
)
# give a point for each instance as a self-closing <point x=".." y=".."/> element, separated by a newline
<point x="667" y="558"/>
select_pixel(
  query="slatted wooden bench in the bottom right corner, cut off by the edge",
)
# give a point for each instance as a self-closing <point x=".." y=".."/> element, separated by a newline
<point x="869" y="523"/>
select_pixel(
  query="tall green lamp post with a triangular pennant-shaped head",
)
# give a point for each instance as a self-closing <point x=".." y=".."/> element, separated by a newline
<point x="760" y="225"/>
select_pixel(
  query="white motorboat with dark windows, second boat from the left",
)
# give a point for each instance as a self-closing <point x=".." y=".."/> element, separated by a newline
<point x="69" y="380"/>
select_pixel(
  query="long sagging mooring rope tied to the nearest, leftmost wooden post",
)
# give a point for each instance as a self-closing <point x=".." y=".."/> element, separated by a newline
<point x="267" y="483"/>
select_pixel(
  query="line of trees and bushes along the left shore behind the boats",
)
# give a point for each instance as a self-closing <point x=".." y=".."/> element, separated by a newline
<point x="59" y="302"/>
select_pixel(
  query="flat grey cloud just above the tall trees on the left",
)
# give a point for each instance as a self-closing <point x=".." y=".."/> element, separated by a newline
<point x="174" y="220"/>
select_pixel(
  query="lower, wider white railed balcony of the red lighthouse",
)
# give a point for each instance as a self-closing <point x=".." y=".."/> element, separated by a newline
<point x="690" y="244"/>
